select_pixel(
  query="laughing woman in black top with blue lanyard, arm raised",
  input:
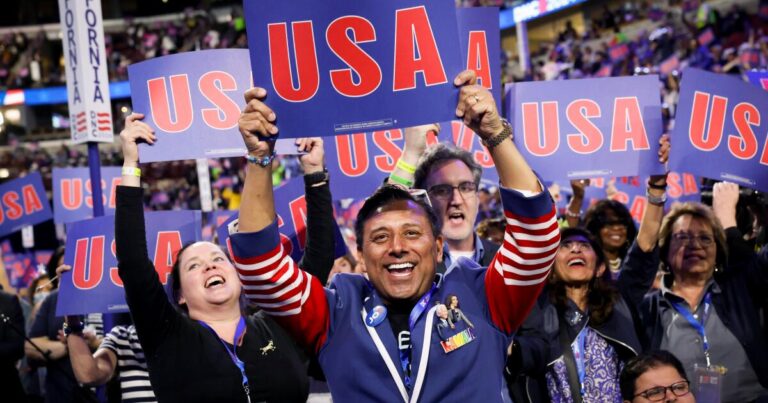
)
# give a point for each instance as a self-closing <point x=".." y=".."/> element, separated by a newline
<point x="199" y="346"/>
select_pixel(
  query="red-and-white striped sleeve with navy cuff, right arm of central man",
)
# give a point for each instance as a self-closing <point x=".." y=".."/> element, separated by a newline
<point x="520" y="268"/>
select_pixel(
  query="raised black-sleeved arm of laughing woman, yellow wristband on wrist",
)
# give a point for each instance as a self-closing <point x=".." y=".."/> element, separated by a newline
<point x="151" y="311"/>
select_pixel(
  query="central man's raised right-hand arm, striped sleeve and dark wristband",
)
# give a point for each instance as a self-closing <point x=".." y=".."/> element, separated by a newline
<point x="518" y="272"/>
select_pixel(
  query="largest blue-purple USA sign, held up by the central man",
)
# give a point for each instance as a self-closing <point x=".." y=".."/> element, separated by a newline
<point x="346" y="66"/>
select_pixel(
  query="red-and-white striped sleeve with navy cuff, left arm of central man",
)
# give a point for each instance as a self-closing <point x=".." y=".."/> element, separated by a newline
<point x="276" y="284"/>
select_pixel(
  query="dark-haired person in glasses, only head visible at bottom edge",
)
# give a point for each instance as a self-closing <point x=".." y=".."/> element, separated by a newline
<point x="655" y="376"/>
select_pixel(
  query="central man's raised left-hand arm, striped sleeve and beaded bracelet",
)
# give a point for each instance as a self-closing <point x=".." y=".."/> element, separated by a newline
<point x="271" y="279"/>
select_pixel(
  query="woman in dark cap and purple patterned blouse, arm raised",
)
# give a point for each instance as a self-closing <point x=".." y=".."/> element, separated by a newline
<point x="590" y="327"/>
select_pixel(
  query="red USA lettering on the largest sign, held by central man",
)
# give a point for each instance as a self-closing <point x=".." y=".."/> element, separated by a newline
<point x="363" y="75"/>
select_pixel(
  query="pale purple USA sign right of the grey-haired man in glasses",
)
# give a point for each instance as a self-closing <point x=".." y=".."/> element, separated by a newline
<point x="589" y="133"/>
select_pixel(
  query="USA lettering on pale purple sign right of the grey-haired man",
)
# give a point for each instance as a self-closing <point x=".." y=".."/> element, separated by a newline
<point x="542" y="127"/>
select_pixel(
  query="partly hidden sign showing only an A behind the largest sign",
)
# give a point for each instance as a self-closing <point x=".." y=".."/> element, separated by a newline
<point x="480" y="39"/>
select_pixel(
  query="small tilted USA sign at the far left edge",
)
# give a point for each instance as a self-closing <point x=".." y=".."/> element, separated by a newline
<point x="23" y="202"/>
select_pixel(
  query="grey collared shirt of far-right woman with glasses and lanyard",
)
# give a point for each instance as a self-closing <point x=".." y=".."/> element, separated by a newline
<point x="740" y="382"/>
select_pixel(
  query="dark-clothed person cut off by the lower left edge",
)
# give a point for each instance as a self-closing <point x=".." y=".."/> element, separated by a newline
<point x="11" y="346"/>
